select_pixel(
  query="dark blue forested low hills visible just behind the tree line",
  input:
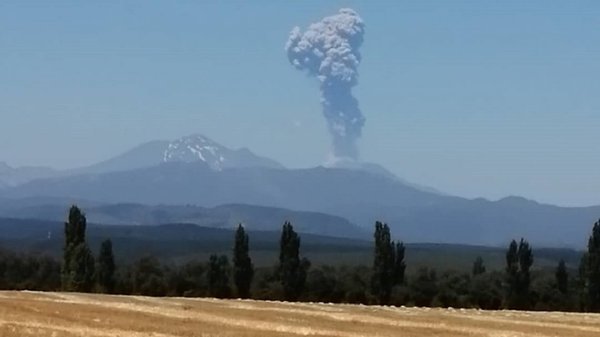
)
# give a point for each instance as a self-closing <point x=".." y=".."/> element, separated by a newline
<point x="177" y="242"/>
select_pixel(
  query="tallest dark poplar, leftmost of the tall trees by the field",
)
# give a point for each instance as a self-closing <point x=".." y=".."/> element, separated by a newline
<point x="77" y="270"/>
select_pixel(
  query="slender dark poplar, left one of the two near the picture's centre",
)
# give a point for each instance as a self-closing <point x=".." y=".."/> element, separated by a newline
<point x="243" y="269"/>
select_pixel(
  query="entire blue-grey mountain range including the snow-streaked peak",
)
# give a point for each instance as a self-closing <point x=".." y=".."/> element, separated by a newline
<point x="195" y="170"/>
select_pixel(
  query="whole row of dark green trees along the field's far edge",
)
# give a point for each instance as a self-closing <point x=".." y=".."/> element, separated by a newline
<point x="385" y="282"/>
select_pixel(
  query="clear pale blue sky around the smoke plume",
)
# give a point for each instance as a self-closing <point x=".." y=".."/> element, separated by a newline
<point x="474" y="98"/>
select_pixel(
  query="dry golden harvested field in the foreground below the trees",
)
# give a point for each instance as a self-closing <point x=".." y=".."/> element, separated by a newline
<point x="69" y="314"/>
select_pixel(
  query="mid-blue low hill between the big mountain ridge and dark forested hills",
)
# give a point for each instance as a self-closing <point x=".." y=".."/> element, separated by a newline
<point x="224" y="216"/>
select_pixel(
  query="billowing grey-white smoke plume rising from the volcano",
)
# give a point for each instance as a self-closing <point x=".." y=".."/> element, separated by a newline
<point x="328" y="50"/>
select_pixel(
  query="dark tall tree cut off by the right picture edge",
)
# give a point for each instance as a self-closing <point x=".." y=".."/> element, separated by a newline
<point x="591" y="271"/>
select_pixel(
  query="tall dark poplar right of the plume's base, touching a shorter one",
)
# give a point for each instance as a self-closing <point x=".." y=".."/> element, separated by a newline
<point x="384" y="262"/>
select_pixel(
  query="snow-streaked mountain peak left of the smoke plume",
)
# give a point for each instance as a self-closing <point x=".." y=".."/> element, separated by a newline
<point x="198" y="148"/>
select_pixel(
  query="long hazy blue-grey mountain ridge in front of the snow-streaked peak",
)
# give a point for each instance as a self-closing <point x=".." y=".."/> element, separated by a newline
<point x="358" y="196"/>
